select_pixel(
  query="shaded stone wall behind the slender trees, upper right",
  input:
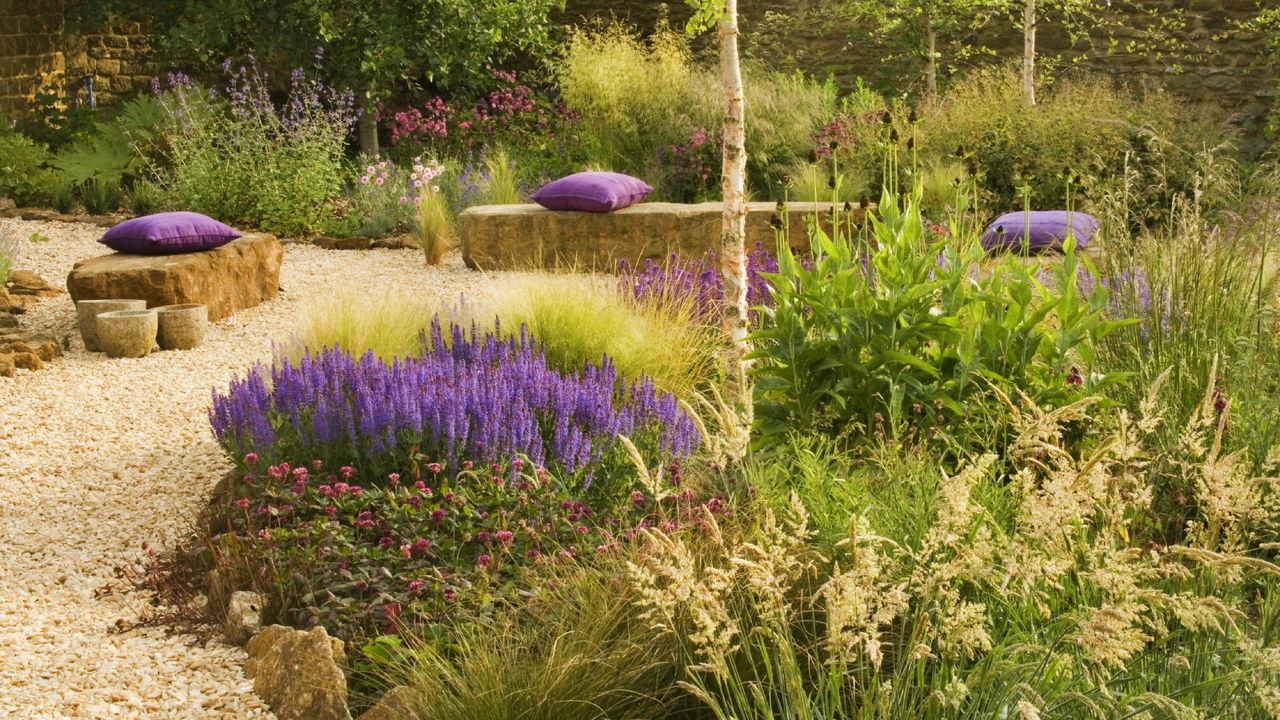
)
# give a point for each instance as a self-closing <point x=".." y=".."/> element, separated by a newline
<point x="1217" y="63"/>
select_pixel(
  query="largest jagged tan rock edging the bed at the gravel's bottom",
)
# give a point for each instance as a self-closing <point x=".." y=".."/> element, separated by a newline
<point x="298" y="675"/>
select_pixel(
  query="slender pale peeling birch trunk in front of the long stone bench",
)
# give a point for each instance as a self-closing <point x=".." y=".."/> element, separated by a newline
<point x="734" y="224"/>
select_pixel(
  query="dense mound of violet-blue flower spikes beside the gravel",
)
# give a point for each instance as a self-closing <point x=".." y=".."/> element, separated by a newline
<point x="470" y="394"/>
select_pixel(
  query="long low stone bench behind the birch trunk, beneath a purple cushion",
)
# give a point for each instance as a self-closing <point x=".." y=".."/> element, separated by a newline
<point x="518" y="238"/>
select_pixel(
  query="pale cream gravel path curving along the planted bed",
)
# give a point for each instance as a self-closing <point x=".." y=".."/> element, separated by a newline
<point x="99" y="457"/>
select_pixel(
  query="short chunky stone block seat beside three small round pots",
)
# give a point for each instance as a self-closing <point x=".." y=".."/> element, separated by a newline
<point x="240" y="275"/>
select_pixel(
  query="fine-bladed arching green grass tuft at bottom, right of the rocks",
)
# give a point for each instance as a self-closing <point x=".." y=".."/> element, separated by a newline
<point x="574" y="651"/>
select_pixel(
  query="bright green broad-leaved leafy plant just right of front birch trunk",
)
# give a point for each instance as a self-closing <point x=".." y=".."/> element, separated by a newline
<point x="903" y="332"/>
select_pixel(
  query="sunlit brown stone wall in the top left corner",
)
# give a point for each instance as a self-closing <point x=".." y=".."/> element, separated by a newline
<point x="38" y="48"/>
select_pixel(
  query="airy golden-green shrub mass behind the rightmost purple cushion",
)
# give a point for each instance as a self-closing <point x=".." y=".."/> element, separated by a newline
<point x="1084" y="126"/>
